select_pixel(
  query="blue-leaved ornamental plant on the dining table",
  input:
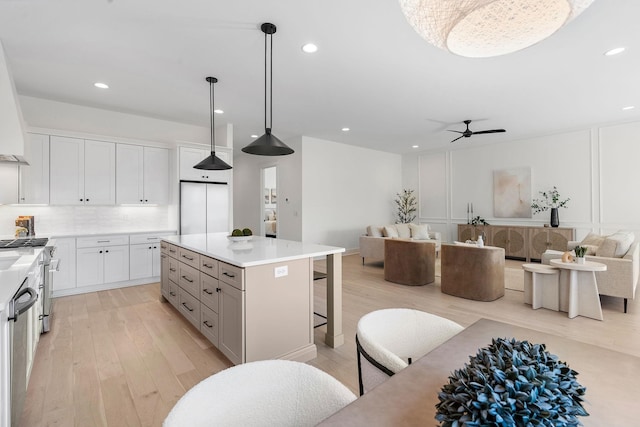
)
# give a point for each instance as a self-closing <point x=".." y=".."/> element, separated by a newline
<point x="511" y="383"/>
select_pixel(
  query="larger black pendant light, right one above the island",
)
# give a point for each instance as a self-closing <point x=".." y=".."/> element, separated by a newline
<point x="268" y="144"/>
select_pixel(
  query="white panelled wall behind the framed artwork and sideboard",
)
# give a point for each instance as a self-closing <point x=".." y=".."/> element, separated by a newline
<point x="595" y="167"/>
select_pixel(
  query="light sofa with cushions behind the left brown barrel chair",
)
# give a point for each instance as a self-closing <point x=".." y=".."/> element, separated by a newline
<point x="372" y="244"/>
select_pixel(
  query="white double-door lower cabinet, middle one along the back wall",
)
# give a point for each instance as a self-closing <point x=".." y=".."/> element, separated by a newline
<point x="104" y="264"/>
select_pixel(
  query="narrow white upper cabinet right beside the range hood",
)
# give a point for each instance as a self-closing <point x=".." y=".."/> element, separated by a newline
<point x="34" y="179"/>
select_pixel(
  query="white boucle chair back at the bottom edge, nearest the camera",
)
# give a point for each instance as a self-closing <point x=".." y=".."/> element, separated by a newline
<point x="264" y="393"/>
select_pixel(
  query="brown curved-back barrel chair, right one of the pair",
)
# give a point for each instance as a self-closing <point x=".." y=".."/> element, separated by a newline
<point x="472" y="272"/>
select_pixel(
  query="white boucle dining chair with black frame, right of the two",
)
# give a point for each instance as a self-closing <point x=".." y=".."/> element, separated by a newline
<point x="388" y="340"/>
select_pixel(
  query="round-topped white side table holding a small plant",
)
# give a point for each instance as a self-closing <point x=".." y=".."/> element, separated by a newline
<point x="583" y="288"/>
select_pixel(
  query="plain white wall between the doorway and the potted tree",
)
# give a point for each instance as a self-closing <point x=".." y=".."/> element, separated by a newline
<point x="346" y="188"/>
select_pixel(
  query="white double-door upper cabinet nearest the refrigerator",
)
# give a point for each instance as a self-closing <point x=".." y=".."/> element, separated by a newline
<point x="142" y="175"/>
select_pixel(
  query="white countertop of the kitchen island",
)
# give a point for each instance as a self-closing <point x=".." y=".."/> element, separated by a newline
<point x="258" y="251"/>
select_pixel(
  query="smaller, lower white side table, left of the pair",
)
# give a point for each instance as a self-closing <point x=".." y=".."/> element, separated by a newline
<point x="541" y="286"/>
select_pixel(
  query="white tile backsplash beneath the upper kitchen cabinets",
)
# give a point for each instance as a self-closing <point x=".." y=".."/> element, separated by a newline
<point x="61" y="220"/>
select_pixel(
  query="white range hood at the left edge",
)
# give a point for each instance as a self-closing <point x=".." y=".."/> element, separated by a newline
<point x="11" y="130"/>
